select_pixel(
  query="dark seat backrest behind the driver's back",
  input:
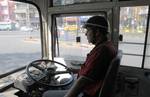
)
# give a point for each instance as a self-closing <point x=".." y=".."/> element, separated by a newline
<point x="107" y="89"/>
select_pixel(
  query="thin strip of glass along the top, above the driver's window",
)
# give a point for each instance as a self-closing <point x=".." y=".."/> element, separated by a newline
<point x="68" y="2"/>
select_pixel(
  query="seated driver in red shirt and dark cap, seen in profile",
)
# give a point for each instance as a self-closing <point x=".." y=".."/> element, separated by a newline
<point x="92" y="72"/>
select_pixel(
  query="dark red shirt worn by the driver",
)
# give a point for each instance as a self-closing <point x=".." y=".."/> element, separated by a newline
<point x="96" y="65"/>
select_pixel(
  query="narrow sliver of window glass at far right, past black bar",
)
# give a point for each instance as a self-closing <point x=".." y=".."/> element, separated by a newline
<point x="147" y="58"/>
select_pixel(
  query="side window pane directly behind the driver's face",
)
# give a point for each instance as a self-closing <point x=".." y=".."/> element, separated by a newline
<point x="73" y="44"/>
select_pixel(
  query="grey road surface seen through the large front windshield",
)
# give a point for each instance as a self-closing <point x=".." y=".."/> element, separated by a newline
<point x="18" y="49"/>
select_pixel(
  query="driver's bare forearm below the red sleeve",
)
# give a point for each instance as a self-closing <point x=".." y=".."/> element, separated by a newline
<point x="78" y="86"/>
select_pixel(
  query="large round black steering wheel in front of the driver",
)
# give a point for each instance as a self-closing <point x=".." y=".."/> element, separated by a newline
<point x="47" y="69"/>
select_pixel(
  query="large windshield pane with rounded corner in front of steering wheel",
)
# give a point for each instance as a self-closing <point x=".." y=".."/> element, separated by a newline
<point x="19" y="35"/>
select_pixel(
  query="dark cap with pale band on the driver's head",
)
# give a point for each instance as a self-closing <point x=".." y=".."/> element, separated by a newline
<point x="97" y="21"/>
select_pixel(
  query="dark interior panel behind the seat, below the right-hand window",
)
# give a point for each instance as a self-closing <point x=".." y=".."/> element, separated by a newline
<point x="132" y="82"/>
